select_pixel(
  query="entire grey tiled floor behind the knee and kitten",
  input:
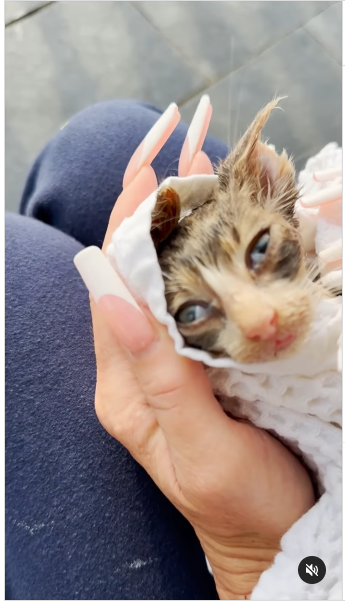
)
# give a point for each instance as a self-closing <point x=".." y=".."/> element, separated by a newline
<point x="64" y="56"/>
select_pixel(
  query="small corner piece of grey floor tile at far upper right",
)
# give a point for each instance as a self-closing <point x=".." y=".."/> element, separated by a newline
<point x="326" y="28"/>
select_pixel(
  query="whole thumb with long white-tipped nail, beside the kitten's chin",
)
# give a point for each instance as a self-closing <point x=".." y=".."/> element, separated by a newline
<point x="174" y="386"/>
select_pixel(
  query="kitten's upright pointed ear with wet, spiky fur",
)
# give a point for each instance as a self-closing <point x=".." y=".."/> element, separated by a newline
<point x="270" y="176"/>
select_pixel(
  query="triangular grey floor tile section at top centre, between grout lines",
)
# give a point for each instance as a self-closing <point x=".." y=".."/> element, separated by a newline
<point x="217" y="37"/>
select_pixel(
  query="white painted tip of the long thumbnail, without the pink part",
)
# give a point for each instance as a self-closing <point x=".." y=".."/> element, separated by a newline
<point x="99" y="276"/>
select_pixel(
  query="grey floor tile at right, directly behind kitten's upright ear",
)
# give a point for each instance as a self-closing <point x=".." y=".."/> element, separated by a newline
<point x="298" y="67"/>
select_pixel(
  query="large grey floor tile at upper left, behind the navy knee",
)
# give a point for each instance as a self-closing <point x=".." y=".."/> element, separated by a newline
<point x="71" y="55"/>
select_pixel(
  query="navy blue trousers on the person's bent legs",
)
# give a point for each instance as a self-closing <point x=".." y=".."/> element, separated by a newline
<point x="83" y="519"/>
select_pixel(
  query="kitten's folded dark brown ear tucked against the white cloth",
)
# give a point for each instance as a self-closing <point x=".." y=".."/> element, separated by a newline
<point x="166" y="215"/>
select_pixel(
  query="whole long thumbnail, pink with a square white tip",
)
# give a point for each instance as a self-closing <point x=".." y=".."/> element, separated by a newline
<point x="123" y="314"/>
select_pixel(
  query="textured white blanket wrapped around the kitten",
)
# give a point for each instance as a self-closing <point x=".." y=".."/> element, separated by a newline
<point x="298" y="399"/>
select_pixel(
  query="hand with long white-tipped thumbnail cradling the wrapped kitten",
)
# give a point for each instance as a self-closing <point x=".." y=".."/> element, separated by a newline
<point x="239" y="488"/>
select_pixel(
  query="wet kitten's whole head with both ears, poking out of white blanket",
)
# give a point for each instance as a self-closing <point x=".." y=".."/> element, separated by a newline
<point x="234" y="270"/>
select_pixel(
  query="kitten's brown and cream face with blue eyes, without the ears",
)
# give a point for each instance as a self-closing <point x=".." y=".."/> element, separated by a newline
<point x="237" y="286"/>
